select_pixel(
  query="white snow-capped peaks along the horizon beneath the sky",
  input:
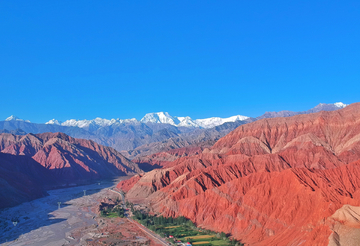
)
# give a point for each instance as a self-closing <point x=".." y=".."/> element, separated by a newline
<point x="166" y="118"/>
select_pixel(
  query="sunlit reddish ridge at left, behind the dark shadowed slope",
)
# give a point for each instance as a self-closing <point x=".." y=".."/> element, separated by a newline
<point x="70" y="160"/>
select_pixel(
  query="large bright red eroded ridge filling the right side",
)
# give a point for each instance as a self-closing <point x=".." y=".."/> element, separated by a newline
<point x="271" y="182"/>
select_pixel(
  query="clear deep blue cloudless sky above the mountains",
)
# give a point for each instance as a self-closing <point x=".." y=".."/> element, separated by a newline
<point x="122" y="59"/>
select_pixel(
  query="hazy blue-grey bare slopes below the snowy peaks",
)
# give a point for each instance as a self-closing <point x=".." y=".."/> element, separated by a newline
<point x="133" y="138"/>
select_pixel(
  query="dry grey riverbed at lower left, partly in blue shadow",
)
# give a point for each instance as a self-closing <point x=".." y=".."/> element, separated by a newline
<point x="53" y="219"/>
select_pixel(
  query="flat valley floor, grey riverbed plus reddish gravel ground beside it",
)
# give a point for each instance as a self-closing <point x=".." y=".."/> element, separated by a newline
<point x="41" y="222"/>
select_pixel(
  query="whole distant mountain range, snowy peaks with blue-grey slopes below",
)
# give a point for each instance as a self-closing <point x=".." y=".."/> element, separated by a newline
<point x="153" y="133"/>
